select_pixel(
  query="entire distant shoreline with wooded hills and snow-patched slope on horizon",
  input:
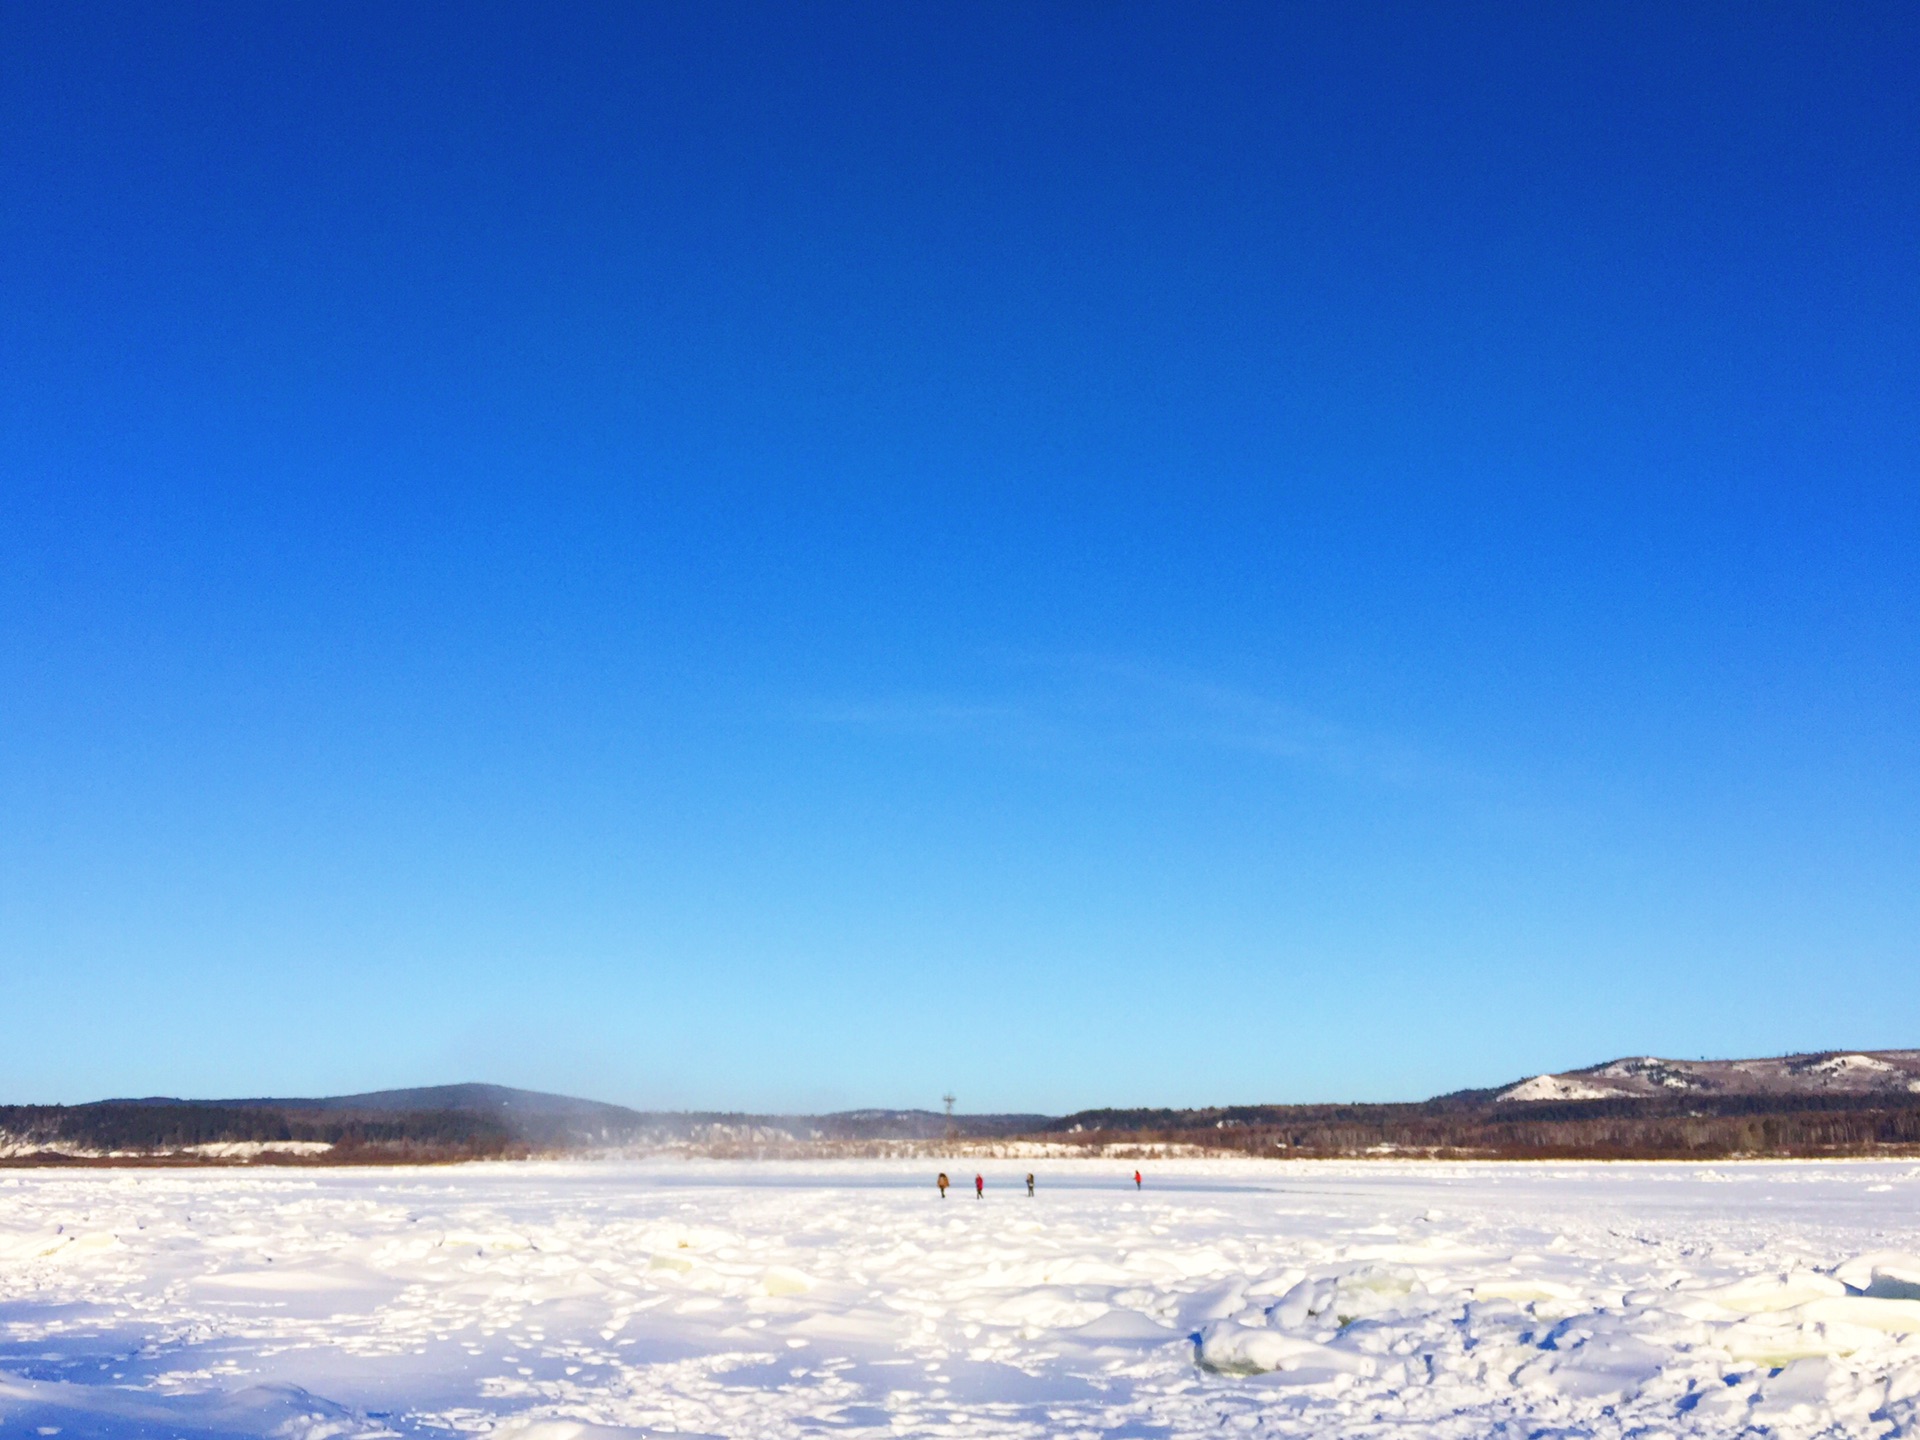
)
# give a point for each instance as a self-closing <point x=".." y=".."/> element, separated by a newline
<point x="1829" y="1105"/>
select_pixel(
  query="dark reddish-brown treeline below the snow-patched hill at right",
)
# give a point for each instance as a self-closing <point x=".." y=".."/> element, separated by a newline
<point x="1625" y="1128"/>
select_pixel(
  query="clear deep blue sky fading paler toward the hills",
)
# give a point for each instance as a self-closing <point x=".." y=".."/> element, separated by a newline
<point x="780" y="558"/>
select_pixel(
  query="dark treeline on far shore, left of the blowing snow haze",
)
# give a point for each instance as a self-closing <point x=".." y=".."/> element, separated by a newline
<point x="160" y="1128"/>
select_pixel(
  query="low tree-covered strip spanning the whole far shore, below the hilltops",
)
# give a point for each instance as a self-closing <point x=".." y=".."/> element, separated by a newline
<point x="1470" y="1124"/>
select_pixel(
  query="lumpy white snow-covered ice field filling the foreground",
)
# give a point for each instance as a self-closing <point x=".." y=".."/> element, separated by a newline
<point x="552" y="1301"/>
